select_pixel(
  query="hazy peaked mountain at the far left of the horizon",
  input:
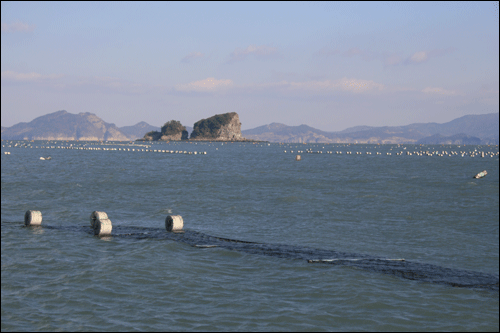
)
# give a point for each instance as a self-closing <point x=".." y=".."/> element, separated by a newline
<point x="62" y="125"/>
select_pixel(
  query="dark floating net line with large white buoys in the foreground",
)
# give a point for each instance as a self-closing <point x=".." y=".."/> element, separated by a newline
<point x="101" y="226"/>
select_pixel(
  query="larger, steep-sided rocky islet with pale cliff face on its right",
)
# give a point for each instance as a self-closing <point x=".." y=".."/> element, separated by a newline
<point x="221" y="127"/>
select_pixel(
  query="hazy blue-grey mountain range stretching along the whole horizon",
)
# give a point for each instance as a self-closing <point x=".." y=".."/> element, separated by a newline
<point x="61" y="125"/>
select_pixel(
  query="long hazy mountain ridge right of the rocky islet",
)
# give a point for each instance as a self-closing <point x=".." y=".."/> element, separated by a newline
<point x="483" y="127"/>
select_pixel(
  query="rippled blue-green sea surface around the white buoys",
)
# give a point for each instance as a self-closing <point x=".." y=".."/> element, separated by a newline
<point x="260" y="231"/>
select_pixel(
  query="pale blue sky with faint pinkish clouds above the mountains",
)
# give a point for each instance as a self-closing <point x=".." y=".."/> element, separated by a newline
<point x="329" y="65"/>
